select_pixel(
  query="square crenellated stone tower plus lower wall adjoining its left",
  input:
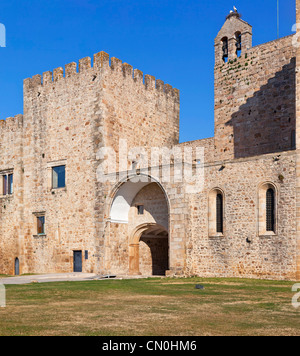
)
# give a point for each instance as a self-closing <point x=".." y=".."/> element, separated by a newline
<point x="69" y="115"/>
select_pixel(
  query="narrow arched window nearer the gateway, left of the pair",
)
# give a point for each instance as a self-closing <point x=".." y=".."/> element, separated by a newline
<point x="216" y="212"/>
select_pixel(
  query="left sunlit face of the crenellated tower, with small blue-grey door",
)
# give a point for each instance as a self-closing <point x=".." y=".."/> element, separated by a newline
<point x="60" y="120"/>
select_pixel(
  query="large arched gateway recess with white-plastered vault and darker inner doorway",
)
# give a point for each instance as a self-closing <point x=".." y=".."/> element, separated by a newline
<point x="144" y="208"/>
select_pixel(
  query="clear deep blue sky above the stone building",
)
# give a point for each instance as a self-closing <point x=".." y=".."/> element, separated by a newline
<point x="172" y="40"/>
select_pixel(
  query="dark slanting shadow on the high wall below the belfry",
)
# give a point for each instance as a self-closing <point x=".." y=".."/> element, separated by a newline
<point x="267" y="122"/>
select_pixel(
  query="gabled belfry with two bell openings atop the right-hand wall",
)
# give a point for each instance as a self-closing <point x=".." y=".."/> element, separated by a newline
<point x="234" y="38"/>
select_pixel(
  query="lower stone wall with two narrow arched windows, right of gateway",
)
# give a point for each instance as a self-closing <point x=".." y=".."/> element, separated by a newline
<point x="241" y="251"/>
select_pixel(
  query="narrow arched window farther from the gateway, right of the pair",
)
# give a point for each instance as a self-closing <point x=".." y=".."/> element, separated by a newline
<point x="267" y="209"/>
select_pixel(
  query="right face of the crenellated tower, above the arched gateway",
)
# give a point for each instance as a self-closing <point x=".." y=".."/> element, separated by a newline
<point x="138" y="108"/>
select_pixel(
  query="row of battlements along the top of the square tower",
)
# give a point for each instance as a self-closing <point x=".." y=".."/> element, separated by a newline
<point x="101" y="62"/>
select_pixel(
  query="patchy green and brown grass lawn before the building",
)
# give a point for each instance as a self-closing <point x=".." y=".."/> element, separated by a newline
<point x="151" y="307"/>
